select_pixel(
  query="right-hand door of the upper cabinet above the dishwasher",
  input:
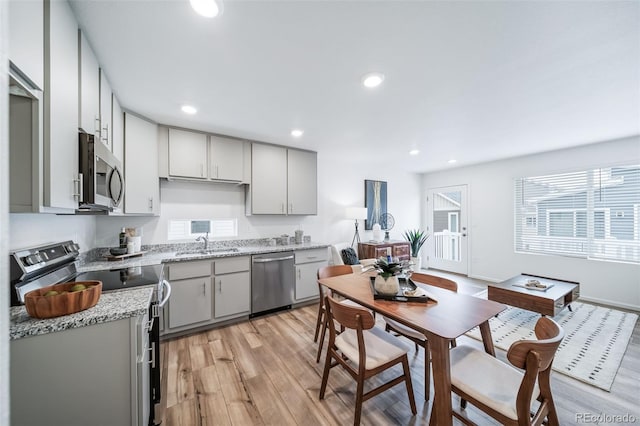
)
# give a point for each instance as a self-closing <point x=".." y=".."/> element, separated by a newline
<point x="302" y="185"/>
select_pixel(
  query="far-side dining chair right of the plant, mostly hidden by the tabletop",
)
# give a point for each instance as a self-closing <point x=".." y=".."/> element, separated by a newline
<point x="416" y="337"/>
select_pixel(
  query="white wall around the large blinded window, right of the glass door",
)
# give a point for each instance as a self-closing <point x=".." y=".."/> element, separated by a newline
<point x="491" y="226"/>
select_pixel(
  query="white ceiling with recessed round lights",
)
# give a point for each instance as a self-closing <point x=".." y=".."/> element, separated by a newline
<point x="470" y="80"/>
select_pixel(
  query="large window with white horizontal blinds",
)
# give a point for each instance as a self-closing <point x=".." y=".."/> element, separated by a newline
<point x="590" y="213"/>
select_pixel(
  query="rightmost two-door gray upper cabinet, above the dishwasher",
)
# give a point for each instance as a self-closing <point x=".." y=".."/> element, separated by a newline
<point x="283" y="181"/>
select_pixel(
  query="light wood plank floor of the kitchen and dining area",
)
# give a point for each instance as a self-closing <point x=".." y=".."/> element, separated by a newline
<point x="263" y="371"/>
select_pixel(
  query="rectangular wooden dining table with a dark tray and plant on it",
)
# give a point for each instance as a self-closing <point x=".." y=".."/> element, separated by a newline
<point x="446" y="316"/>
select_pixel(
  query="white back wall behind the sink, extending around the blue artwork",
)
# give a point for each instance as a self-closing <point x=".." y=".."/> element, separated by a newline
<point x="340" y="185"/>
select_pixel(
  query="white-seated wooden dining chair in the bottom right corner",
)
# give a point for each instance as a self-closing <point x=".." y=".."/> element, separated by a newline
<point x="502" y="391"/>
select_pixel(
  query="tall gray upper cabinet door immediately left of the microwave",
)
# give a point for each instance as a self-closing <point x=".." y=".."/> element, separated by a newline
<point x="61" y="185"/>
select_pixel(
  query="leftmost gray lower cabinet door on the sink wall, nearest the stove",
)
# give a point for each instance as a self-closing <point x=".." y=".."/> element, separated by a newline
<point x="190" y="301"/>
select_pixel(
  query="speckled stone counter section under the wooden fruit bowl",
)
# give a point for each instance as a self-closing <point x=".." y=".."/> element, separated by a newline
<point x="112" y="306"/>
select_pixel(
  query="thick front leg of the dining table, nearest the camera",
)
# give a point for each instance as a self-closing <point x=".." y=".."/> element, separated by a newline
<point x="441" y="414"/>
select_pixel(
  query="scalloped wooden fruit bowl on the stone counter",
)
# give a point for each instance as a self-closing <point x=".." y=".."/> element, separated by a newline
<point x="40" y="306"/>
